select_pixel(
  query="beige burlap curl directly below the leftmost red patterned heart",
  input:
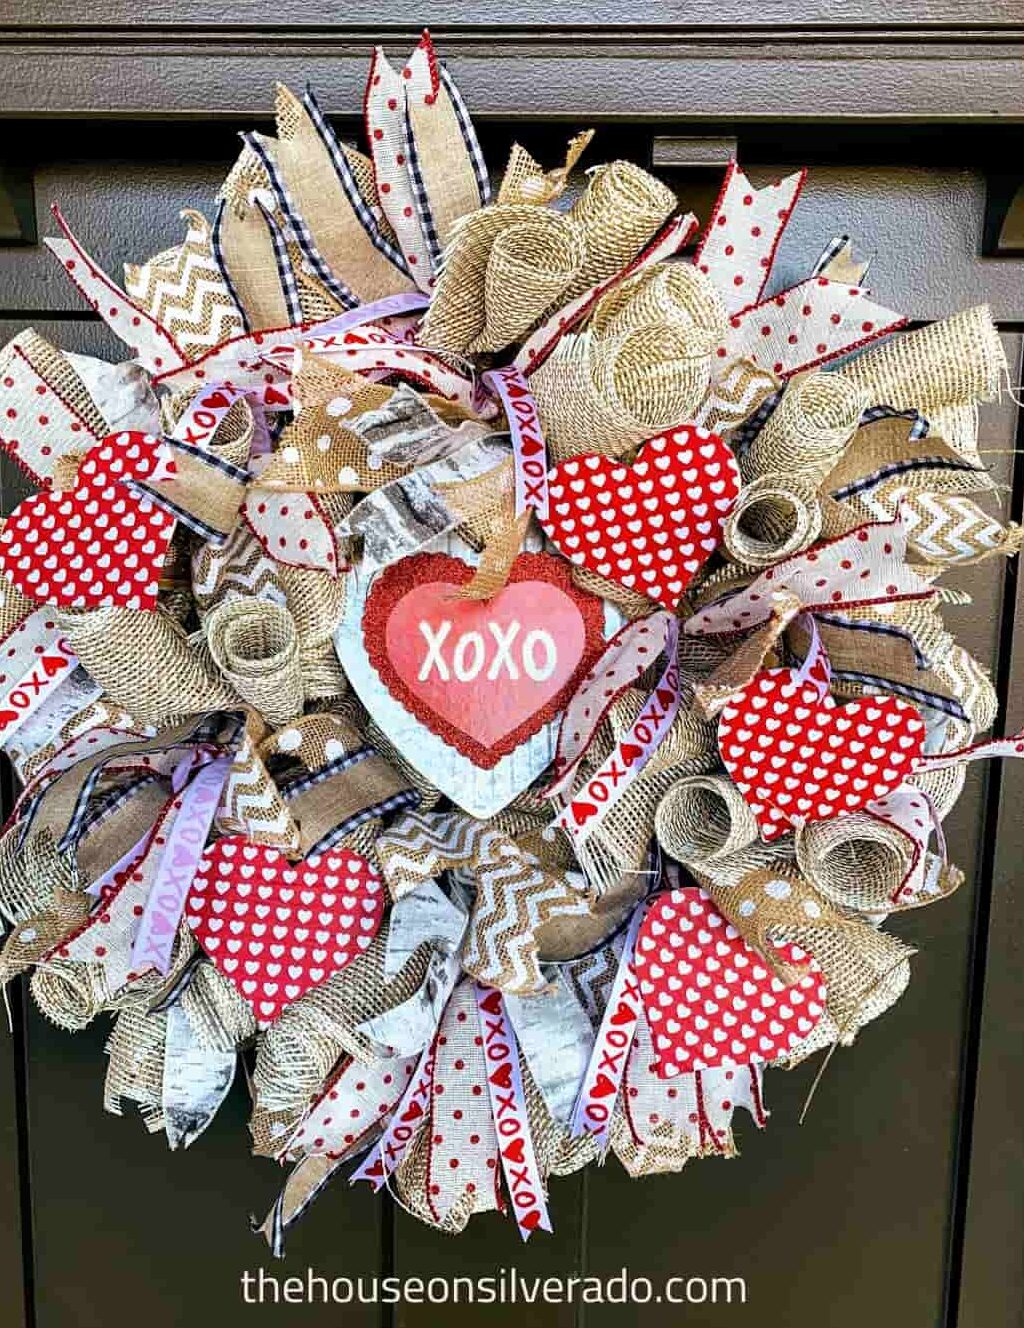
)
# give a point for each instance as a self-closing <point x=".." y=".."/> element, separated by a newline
<point x="147" y="663"/>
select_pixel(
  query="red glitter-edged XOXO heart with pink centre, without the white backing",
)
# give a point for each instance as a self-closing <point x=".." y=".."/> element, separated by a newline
<point x="484" y="675"/>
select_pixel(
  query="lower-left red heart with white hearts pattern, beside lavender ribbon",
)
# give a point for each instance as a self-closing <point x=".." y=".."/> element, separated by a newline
<point x="277" y="929"/>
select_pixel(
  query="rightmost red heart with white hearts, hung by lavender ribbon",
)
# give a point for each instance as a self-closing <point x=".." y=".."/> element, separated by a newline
<point x="798" y="758"/>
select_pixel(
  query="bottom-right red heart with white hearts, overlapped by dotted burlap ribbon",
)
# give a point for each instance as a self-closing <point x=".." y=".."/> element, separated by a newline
<point x="710" y="999"/>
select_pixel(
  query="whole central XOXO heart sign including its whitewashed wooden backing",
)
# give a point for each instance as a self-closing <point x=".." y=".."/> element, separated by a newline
<point x="483" y="722"/>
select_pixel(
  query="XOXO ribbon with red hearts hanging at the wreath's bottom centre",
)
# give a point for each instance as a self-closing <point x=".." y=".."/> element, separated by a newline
<point x="508" y="1104"/>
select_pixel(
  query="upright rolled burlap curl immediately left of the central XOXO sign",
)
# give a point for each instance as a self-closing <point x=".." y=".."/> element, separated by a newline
<point x="256" y="645"/>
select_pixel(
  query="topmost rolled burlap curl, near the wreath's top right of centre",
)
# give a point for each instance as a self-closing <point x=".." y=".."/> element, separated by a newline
<point x="618" y="214"/>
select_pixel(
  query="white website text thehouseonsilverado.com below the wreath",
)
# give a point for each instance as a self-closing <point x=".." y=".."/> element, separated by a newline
<point x="505" y="1287"/>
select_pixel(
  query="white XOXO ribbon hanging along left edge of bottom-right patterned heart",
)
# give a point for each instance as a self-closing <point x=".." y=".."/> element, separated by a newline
<point x="600" y="1091"/>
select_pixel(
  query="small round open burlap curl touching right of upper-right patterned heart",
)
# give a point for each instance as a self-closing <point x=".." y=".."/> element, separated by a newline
<point x="775" y="517"/>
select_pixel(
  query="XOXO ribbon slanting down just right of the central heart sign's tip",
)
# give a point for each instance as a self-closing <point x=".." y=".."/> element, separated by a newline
<point x="589" y="807"/>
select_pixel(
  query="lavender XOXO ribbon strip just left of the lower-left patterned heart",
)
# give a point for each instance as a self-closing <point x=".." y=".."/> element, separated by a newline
<point x="187" y="841"/>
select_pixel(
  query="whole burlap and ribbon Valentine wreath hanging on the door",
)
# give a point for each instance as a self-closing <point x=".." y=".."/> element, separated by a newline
<point x="480" y="661"/>
